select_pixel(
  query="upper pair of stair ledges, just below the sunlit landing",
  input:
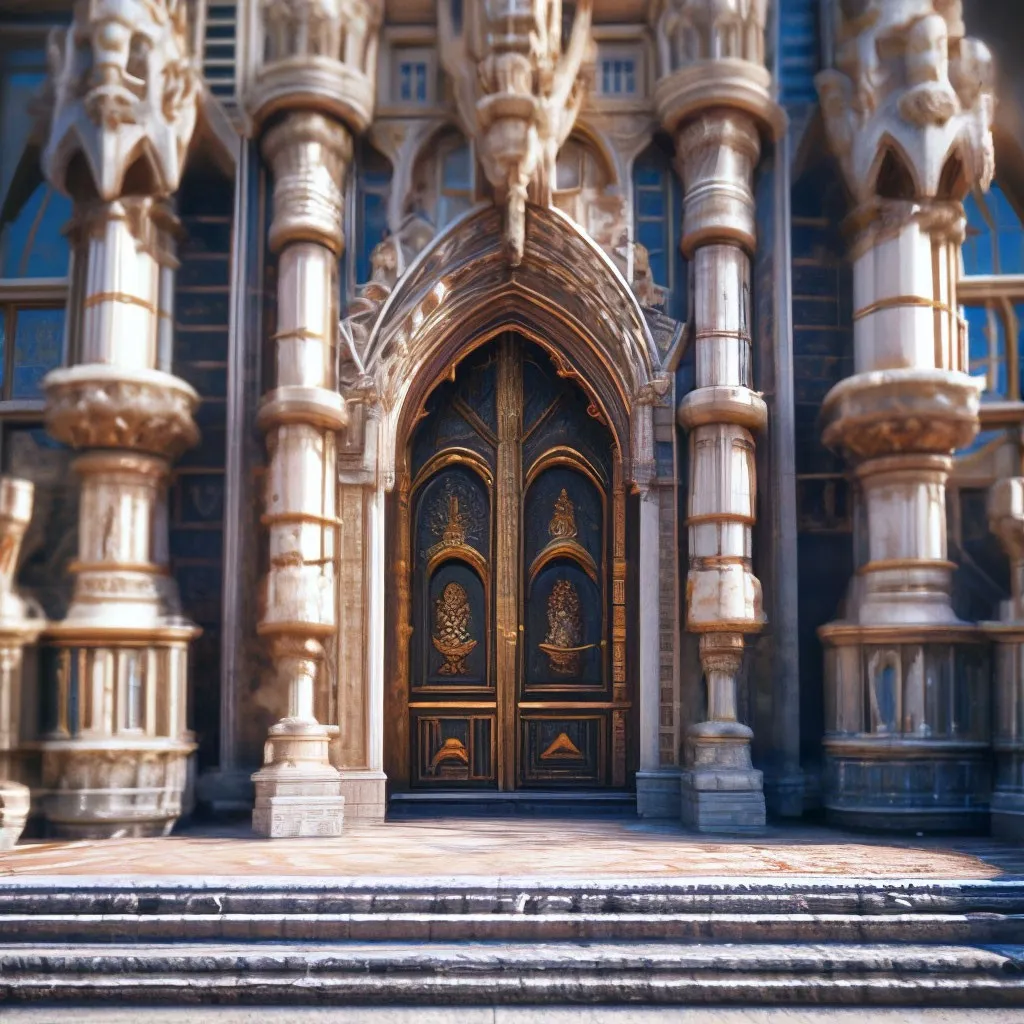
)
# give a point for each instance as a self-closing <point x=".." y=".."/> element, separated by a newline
<point x="507" y="911"/>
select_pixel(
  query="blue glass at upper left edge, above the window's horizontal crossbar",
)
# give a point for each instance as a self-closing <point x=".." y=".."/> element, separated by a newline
<point x="32" y="245"/>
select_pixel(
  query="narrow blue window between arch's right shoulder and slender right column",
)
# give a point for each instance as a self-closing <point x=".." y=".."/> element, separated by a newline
<point x="657" y="217"/>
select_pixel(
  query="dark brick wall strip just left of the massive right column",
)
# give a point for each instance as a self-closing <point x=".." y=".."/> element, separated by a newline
<point x="823" y="334"/>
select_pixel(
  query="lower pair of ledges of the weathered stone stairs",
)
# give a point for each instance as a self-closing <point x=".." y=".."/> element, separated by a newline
<point x="895" y="975"/>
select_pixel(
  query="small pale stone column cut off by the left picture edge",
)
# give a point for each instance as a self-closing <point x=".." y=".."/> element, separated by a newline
<point x="20" y="624"/>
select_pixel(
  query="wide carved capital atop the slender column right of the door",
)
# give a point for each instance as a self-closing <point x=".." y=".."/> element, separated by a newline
<point x="712" y="55"/>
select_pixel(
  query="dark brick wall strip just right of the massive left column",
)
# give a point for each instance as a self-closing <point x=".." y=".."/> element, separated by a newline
<point x="197" y="499"/>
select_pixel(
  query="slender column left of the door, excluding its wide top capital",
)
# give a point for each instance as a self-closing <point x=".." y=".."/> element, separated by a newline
<point x="298" y="792"/>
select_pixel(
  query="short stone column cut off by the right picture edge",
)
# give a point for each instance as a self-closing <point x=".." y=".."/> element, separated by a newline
<point x="1006" y="518"/>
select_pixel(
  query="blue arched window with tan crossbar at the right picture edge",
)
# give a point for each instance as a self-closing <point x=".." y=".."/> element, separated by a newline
<point x="992" y="292"/>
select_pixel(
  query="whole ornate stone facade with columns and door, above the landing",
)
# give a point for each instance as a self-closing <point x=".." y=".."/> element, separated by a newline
<point x="733" y="229"/>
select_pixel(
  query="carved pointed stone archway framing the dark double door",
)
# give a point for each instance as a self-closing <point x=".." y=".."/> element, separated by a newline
<point x="569" y="298"/>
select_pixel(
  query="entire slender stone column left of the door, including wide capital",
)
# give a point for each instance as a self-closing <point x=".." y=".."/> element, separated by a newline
<point x="315" y="89"/>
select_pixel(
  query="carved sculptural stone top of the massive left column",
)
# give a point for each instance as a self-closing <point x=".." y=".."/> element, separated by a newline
<point x="123" y="96"/>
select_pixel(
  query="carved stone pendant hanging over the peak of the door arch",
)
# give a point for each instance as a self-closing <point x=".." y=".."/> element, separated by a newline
<point x="519" y="92"/>
